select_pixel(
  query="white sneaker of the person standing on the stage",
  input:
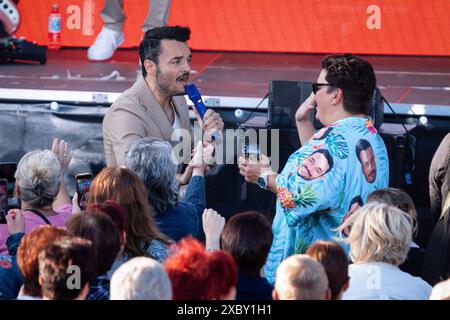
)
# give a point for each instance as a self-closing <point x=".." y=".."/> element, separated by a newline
<point x="105" y="44"/>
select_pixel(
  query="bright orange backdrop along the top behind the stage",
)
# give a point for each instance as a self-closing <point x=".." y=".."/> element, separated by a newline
<point x="404" y="27"/>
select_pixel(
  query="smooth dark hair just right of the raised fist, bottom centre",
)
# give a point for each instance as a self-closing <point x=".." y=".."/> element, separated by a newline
<point x="248" y="237"/>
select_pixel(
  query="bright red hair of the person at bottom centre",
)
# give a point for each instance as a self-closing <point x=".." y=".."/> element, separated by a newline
<point x="197" y="274"/>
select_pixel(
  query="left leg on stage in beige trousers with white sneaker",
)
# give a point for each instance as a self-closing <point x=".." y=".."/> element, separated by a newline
<point x="111" y="37"/>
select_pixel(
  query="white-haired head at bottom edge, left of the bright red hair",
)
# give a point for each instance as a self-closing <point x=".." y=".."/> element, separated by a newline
<point x="141" y="278"/>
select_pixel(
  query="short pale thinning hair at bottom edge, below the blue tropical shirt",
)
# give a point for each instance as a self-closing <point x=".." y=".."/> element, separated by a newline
<point x="300" y="277"/>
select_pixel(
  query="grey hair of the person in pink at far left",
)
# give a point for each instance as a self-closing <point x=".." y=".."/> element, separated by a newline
<point x="38" y="177"/>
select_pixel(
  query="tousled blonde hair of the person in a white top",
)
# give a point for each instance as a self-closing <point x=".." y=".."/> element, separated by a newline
<point x="379" y="233"/>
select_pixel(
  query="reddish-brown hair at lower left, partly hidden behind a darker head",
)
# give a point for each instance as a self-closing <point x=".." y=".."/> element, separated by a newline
<point x="27" y="255"/>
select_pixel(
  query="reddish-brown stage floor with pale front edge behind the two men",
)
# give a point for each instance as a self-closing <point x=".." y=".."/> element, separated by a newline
<point x="413" y="85"/>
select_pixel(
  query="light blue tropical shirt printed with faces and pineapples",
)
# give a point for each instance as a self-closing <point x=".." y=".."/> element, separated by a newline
<point x="322" y="183"/>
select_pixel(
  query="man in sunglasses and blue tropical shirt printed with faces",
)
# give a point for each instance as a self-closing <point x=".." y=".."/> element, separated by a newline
<point x="344" y="160"/>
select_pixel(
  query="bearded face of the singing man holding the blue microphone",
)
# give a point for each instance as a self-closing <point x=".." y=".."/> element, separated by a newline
<point x="174" y="67"/>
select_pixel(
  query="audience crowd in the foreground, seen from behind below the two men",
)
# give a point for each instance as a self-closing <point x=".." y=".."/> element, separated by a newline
<point x="137" y="240"/>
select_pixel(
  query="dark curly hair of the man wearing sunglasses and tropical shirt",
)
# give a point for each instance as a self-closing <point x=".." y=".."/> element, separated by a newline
<point x="355" y="77"/>
